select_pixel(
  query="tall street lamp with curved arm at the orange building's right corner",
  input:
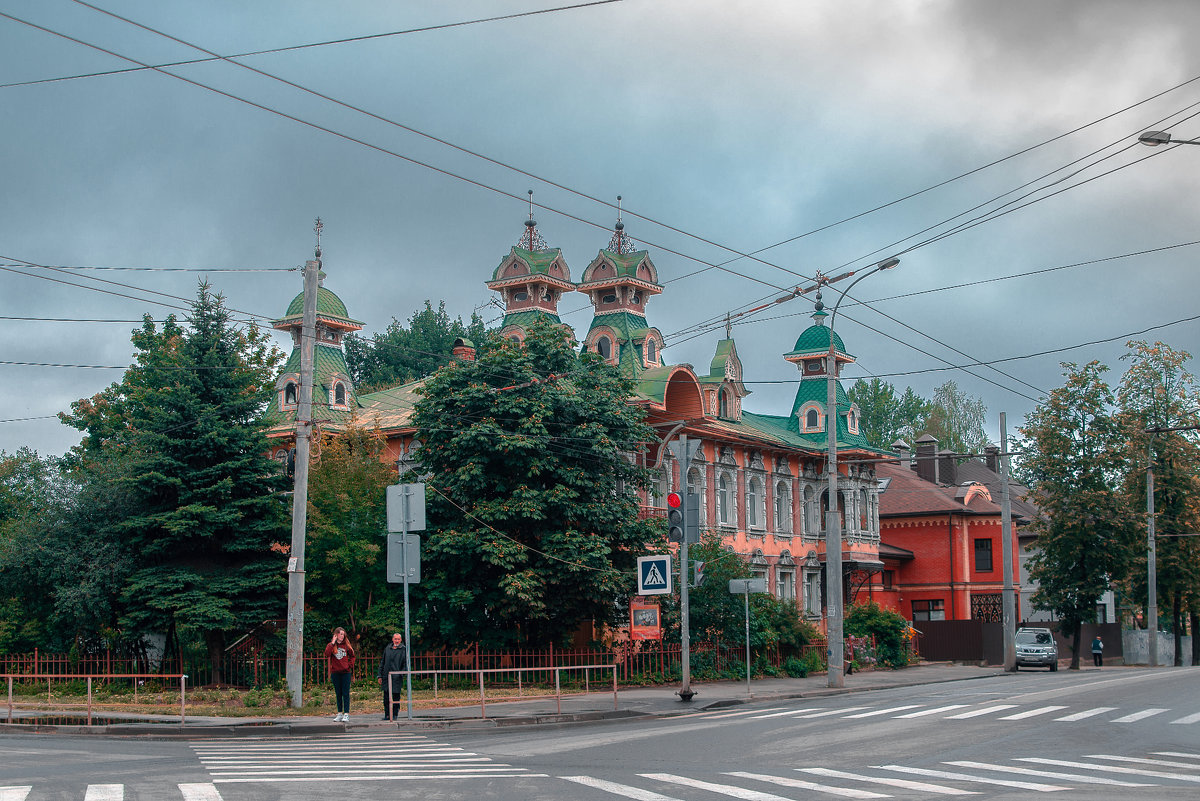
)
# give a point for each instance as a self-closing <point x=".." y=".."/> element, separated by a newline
<point x="833" y="526"/>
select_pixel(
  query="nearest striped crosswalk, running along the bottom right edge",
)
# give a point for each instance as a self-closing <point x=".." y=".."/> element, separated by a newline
<point x="1160" y="770"/>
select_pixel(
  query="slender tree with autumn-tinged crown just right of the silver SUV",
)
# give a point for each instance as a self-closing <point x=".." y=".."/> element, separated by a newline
<point x="1073" y="453"/>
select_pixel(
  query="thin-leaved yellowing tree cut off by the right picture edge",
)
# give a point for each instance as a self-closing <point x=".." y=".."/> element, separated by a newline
<point x="1157" y="392"/>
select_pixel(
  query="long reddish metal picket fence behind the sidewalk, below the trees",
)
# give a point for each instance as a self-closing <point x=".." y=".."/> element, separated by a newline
<point x="638" y="664"/>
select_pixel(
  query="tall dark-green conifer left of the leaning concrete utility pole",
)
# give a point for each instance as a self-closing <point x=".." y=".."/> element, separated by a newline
<point x="202" y="502"/>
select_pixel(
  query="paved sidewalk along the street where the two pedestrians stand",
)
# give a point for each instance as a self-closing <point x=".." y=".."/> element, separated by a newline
<point x="634" y="702"/>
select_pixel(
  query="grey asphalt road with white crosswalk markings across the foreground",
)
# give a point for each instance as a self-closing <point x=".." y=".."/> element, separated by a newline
<point x="1132" y="734"/>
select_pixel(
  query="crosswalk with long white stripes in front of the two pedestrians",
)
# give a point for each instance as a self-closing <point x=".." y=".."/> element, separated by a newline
<point x="371" y="757"/>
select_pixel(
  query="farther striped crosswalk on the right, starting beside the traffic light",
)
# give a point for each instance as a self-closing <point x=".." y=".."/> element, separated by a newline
<point x="1051" y="713"/>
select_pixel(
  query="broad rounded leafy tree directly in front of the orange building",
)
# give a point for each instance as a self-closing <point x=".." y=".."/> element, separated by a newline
<point x="531" y="456"/>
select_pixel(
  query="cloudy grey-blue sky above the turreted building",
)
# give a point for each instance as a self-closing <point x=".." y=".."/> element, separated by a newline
<point x="991" y="147"/>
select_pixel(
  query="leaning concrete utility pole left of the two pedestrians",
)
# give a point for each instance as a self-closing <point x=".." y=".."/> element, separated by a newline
<point x="295" y="668"/>
